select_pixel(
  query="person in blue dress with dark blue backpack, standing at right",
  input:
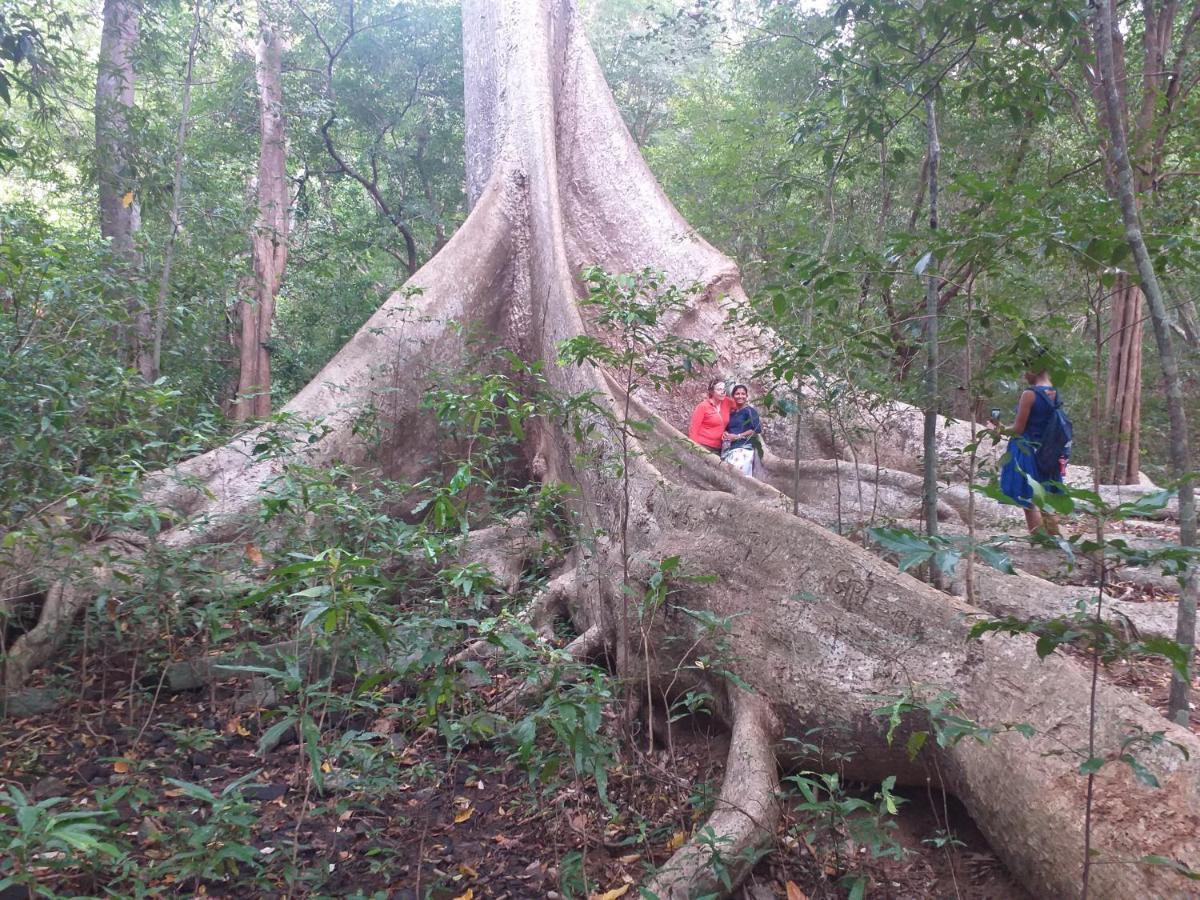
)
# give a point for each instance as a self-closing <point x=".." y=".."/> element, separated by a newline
<point x="1039" y="451"/>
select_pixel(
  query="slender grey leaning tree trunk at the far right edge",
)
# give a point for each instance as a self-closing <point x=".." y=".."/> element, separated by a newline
<point x="1181" y="453"/>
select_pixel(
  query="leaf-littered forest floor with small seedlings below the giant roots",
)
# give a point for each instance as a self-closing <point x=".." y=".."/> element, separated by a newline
<point x="183" y="785"/>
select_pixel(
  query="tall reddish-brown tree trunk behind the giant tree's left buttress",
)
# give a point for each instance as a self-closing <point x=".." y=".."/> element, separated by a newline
<point x="269" y="241"/>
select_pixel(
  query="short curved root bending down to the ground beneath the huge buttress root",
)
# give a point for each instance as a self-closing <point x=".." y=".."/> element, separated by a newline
<point x="743" y="819"/>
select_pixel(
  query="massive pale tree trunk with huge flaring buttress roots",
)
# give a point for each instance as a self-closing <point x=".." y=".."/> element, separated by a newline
<point x="819" y="628"/>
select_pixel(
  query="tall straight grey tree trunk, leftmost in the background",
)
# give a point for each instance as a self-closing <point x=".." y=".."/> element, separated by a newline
<point x="121" y="211"/>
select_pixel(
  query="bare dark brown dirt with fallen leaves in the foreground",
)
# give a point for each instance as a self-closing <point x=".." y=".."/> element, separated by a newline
<point x="463" y="825"/>
